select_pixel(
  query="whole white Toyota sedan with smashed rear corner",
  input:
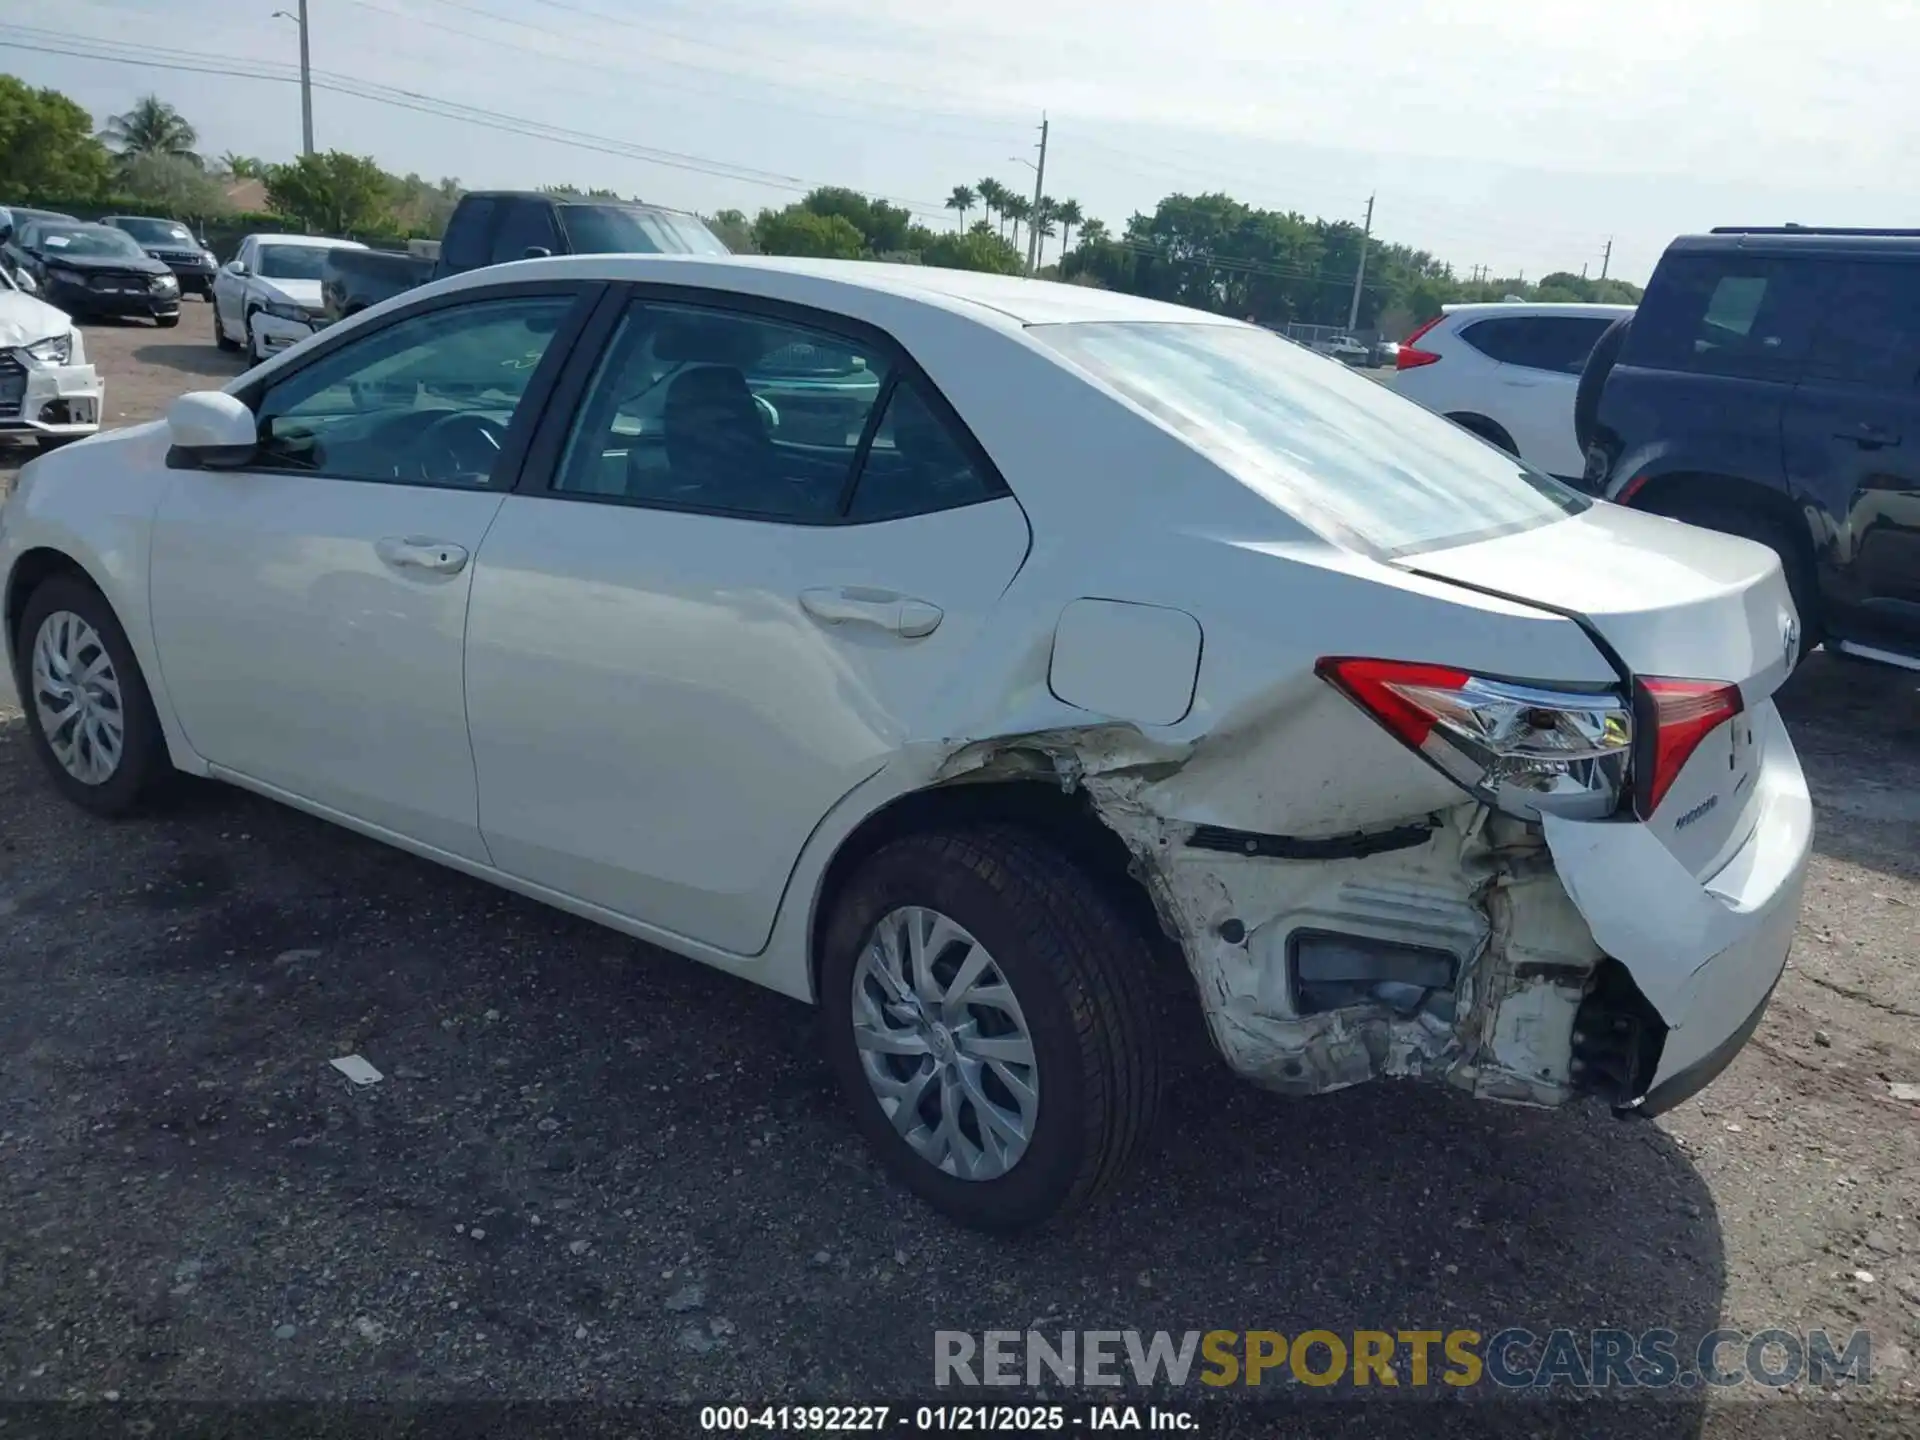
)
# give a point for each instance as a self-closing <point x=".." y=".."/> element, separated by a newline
<point x="1122" y="654"/>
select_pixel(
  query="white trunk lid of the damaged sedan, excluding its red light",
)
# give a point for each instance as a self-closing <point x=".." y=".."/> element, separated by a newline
<point x="1675" y="602"/>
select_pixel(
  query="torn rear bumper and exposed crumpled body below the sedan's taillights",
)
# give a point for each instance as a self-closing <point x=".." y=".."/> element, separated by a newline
<point x="1495" y="946"/>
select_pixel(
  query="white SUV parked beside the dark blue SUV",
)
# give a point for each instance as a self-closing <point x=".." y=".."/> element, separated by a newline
<point x="1508" y="372"/>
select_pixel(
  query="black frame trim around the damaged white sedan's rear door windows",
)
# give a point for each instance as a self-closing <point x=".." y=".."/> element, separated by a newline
<point x="540" y="466"/>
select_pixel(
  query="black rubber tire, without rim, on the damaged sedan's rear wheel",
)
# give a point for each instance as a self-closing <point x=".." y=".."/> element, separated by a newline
<point x="1080" y="972"/>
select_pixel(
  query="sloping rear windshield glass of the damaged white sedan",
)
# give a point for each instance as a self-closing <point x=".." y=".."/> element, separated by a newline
<point x="1337" y="450"/>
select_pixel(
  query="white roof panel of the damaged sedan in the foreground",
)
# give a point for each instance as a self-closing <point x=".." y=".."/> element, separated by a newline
<point x="815" y="281"/>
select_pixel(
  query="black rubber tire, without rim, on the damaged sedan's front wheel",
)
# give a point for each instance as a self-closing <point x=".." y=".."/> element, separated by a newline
<point x="143" y="767"/>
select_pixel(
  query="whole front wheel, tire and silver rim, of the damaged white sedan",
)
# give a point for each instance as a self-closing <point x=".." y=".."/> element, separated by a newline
<point x="87" y="706"/>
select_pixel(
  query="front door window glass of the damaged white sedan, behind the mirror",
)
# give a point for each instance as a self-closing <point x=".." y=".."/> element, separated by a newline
<point x="427" y="400"/>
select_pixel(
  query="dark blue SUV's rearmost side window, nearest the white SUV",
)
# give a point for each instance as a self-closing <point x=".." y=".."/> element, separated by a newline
<point x="1727" y="316"/>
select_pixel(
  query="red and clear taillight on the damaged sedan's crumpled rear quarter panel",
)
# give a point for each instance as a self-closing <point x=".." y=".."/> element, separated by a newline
<point x="1520" y="748"/>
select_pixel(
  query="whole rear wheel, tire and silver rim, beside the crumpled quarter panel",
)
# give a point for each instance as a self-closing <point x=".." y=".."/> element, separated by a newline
<point x="988" y="1015"/>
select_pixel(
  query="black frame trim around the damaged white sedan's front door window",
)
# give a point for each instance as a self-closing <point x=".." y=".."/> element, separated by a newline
<point x="527" y="418"/>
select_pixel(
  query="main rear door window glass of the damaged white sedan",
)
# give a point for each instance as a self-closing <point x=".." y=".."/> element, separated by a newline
<point x="704" y="410"/>
